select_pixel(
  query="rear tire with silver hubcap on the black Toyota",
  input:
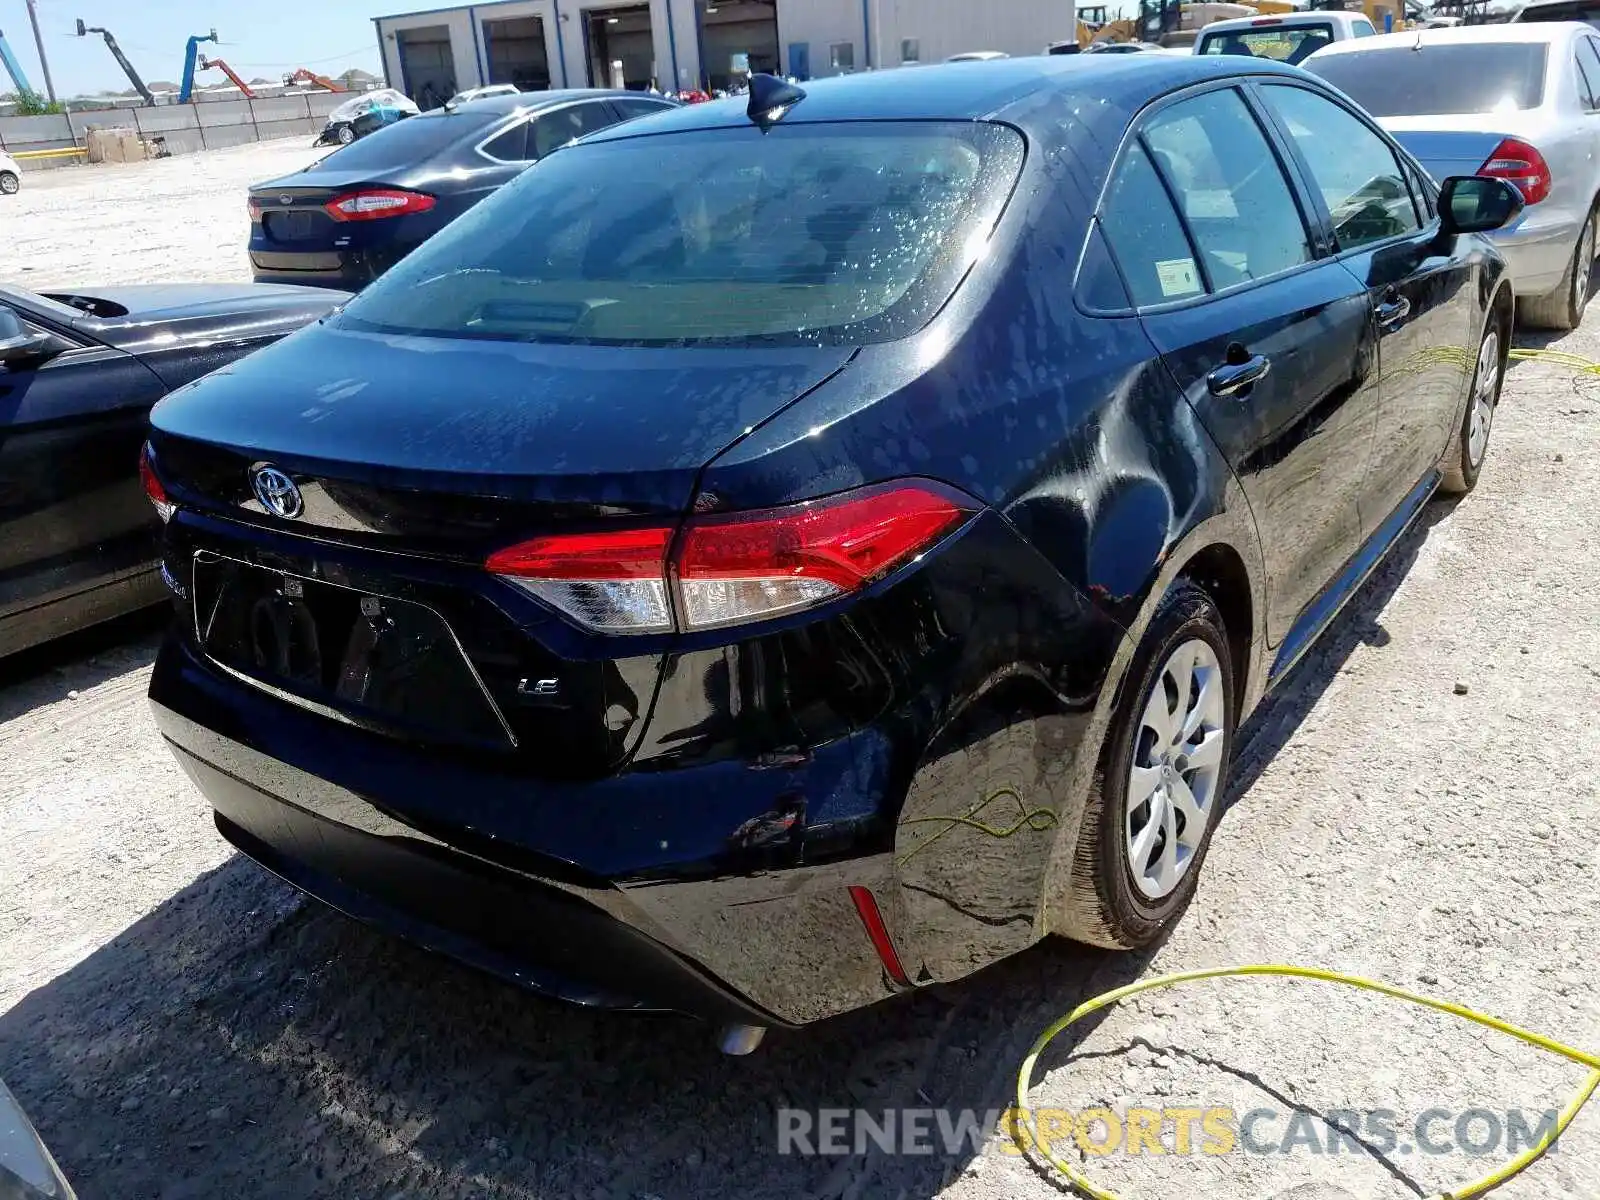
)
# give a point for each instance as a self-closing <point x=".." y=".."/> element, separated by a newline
<point x="1121" y="895"/>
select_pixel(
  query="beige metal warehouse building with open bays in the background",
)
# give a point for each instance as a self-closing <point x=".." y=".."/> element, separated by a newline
<point x="684" y="44"/>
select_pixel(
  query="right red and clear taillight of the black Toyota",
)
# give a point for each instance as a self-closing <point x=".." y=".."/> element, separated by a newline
<point x="734" y="569"/>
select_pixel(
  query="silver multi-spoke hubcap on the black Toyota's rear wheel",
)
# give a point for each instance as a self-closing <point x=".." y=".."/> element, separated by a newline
<point x="1177" y="769"/>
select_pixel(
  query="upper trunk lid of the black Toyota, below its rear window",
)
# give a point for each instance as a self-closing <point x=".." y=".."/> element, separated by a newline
<point x="538" y="426"/>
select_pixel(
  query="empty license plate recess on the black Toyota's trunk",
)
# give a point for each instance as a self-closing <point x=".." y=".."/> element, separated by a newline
<point x="370" y="660"/>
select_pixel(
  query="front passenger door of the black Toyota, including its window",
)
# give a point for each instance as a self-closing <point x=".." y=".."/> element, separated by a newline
<point x="1422" y="295"/>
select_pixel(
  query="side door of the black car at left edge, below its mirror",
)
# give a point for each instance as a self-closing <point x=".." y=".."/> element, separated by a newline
<point x="73" y="514"/>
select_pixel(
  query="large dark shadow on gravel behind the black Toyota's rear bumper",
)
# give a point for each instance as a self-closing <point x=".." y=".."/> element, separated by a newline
<point x="242" y="1044"/>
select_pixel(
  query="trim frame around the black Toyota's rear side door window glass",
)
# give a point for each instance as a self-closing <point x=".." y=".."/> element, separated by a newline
<point x="1314" y="220"/>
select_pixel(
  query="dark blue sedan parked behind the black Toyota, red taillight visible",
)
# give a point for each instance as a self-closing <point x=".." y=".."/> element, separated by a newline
<point x="351" y="217"/>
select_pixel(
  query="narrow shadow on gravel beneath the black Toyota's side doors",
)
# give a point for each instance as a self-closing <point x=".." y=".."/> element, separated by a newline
<point x="1281" y="716"/>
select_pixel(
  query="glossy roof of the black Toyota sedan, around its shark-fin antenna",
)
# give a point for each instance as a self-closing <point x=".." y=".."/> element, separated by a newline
<point x="994" y="90"/>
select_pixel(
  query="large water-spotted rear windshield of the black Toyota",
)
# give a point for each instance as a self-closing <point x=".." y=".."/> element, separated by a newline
<point x="812" y="234"/>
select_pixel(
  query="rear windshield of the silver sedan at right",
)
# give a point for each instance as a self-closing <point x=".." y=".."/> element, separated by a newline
<point x="1439" y="79"/>
